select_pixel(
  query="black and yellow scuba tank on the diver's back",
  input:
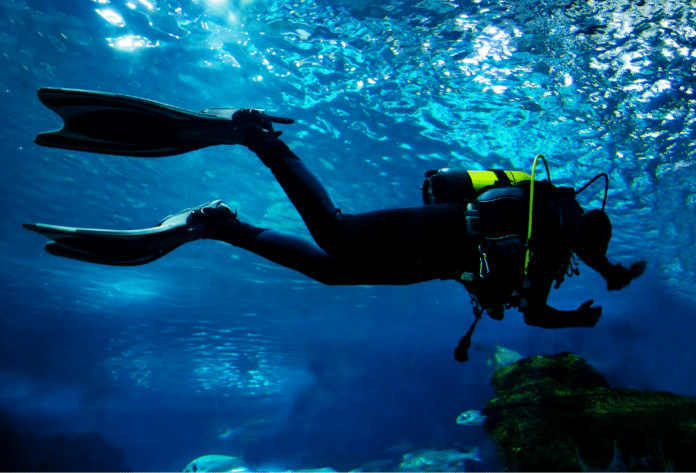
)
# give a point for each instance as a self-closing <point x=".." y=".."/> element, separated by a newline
<point x="462" y="186"/>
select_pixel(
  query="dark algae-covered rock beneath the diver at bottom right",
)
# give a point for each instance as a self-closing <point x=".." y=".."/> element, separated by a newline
<point x="557" y="413"/>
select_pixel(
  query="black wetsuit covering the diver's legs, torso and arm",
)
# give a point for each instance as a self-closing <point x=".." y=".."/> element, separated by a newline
<point x="408" y="245"/>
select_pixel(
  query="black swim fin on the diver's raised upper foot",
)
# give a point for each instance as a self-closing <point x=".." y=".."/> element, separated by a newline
<point x="106" y="123"/>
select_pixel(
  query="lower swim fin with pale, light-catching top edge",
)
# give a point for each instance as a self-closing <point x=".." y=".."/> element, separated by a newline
<point x="130" y="247"/>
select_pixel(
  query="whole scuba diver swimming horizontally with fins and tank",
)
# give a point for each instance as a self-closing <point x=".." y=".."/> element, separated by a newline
<point x="505" y="237"/>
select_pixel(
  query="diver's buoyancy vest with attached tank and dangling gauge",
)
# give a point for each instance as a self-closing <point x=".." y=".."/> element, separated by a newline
<point x="496" y="220"/>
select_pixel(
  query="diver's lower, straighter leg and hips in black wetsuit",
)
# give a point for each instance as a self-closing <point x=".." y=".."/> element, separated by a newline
<point x="400" y="246"/>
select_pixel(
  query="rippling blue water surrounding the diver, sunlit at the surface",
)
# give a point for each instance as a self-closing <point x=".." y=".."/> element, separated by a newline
<point x="161" y="359"/>
